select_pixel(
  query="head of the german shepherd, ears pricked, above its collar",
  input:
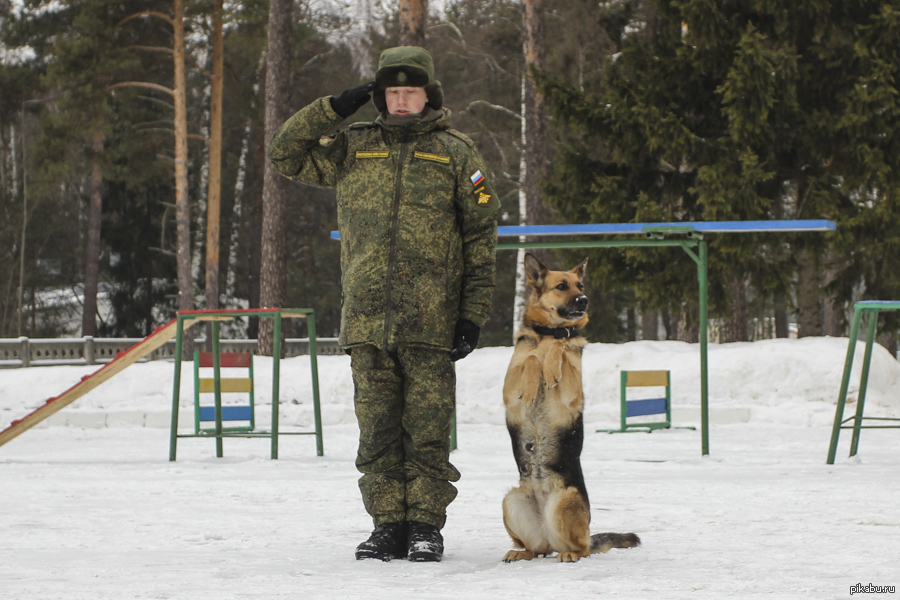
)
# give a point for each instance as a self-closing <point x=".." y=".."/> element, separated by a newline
<point x="557" y="298"/>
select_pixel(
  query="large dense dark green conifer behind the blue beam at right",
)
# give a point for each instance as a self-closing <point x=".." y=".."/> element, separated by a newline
<point x="718" y="112"/>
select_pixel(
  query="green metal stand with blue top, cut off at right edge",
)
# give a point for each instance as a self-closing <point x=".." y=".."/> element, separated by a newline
<point x="870" y="308"/>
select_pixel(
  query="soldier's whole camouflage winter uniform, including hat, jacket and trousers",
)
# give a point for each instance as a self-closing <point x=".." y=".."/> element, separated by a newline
<point x="418" y="236"/>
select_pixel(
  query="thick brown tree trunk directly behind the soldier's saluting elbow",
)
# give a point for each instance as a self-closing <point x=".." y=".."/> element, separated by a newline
<point x="273" y="278"/>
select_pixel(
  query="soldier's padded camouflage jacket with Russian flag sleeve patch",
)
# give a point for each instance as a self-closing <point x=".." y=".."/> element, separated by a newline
<point x="415" y="214"/>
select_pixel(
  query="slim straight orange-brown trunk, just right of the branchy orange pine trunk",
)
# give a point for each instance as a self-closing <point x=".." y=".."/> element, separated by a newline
<point x="215" y="162"/>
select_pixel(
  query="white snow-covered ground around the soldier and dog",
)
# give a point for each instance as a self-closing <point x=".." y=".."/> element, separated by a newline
<point x="91" y="508"/>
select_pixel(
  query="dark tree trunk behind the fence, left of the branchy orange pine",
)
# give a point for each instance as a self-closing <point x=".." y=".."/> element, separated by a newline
<point x="92" y="241"/>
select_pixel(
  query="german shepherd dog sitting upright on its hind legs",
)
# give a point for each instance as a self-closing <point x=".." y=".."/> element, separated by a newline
<point x="549" y="511"/>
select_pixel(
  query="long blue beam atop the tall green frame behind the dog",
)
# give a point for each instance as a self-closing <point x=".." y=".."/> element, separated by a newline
<point x="639" y="228"/>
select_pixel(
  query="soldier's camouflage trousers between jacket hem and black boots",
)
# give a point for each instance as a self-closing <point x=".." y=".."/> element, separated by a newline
<point x="404" y="399"/>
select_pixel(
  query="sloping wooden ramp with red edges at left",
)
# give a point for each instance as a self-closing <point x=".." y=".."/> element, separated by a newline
<point x="124" y="359"/>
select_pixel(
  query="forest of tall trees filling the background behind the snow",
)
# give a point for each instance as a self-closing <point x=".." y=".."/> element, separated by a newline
<point x="585" y="112"/>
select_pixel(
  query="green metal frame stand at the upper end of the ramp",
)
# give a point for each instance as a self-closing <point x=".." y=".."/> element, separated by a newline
<point x="186" y="319"/>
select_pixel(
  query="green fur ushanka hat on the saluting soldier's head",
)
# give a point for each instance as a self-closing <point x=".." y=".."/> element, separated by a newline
<point x="406" y="66"/>
